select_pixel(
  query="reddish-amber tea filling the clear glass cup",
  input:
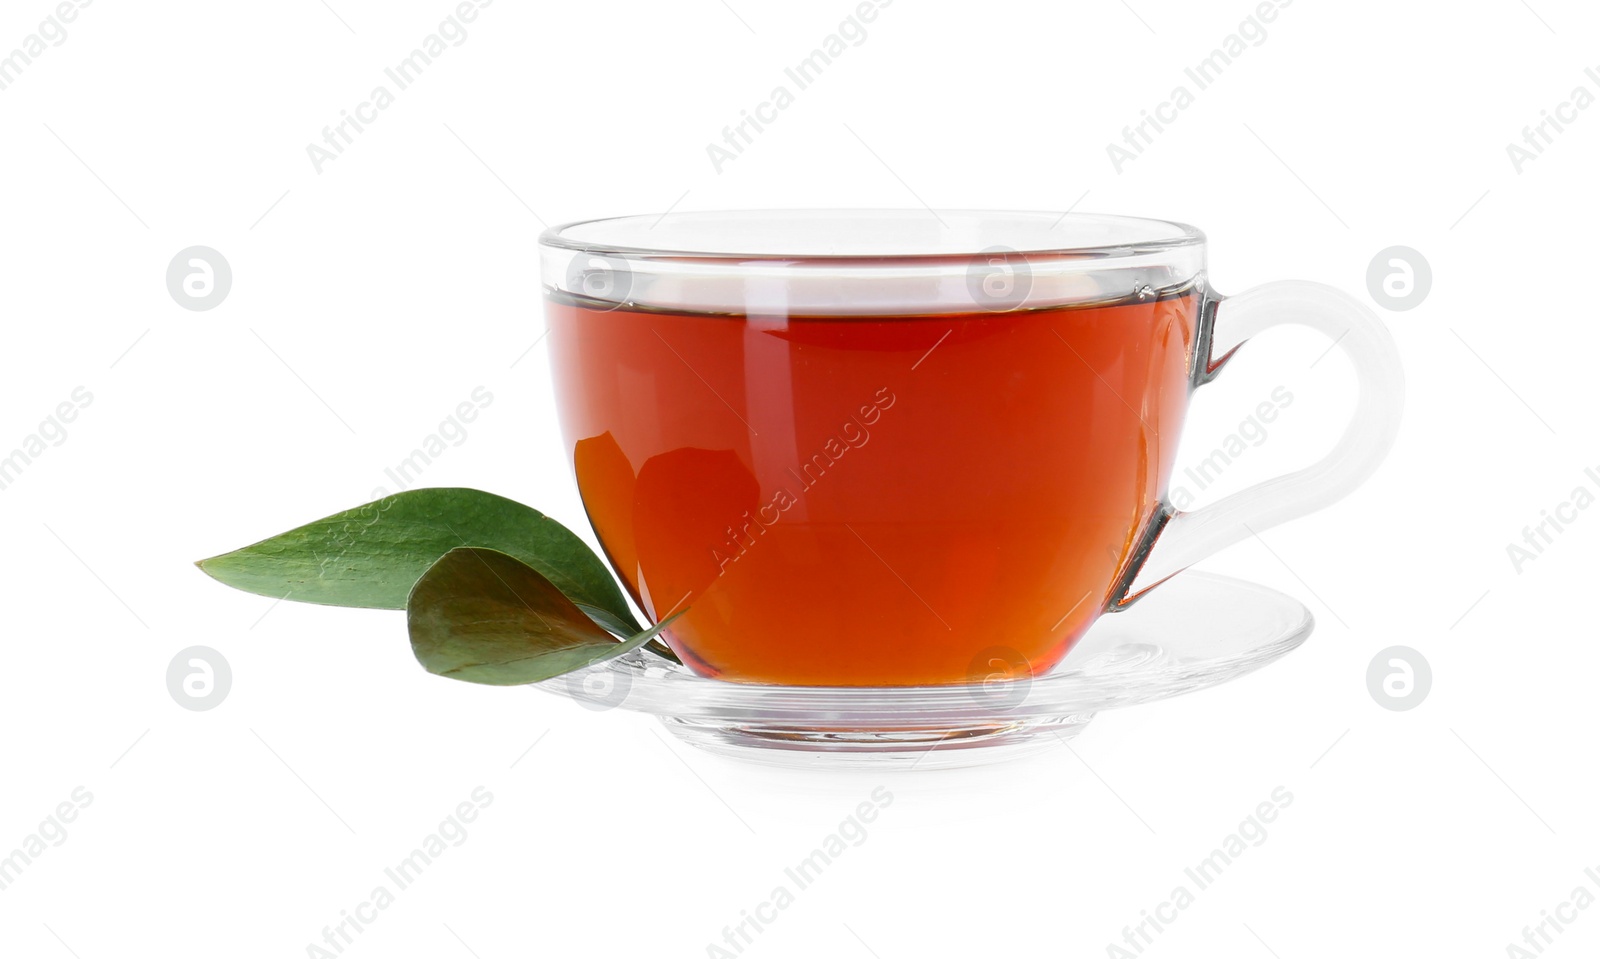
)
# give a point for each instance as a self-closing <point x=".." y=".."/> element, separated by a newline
<point x="873" y="500"/>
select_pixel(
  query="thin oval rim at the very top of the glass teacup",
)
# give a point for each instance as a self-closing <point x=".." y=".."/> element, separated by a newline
<point x="850" y="235"/>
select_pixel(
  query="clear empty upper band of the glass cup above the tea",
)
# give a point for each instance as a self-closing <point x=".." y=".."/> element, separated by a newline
<point x="866" y="262"/>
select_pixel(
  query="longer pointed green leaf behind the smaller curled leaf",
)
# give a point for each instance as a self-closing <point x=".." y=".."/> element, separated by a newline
<point x="374" y="555"/>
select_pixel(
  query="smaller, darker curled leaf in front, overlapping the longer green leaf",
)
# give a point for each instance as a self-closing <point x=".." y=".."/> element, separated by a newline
<point x="481" y="616"/>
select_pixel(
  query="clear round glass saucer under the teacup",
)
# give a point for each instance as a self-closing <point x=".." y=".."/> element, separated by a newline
<point x="1196" y="632"/>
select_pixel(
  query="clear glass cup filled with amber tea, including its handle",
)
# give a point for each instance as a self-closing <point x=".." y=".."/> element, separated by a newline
<point x="898" y="447"/>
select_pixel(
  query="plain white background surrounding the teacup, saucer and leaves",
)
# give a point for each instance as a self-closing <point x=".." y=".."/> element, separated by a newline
<point x="372" y="299"/>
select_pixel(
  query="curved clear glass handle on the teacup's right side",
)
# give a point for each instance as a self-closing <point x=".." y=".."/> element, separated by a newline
<point x="1178" y="540"/>
